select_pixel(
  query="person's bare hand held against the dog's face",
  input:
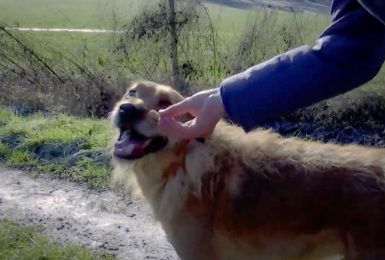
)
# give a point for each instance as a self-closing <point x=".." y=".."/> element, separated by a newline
<point x="207" y="109"/>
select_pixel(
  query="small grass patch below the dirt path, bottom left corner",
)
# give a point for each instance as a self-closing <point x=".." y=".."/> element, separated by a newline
<point x="24" y="242"/>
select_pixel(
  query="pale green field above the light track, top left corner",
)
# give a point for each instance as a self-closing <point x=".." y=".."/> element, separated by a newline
<point x="69" y="13"/>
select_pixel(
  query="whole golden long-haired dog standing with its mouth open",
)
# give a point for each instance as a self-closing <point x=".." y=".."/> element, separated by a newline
<point x="251" y="196"/>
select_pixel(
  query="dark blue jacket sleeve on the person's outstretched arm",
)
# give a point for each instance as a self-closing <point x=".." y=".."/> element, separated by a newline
<point x="349" y="53"/>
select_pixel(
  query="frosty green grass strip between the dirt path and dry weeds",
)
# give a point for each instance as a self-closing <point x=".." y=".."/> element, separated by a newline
<point x="60" y="144"/>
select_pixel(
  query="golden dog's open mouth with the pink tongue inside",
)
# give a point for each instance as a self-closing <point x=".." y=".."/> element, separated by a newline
<point x="133" y="145"/>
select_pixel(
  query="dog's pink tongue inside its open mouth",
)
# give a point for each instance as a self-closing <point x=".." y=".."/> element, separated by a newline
<point x="129" y="148"/>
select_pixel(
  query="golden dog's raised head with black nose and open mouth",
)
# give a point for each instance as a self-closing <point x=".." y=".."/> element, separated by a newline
<point x="138" y="127"/>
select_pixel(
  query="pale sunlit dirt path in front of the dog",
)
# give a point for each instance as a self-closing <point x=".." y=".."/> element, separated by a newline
<point x="103" y="221"/>
